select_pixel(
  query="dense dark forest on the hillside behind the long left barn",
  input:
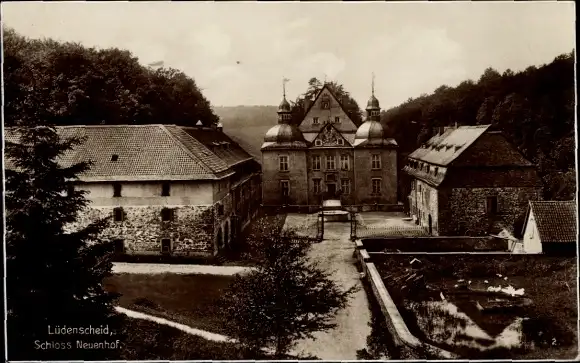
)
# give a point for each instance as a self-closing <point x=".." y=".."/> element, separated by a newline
<point x="68" y="84"/>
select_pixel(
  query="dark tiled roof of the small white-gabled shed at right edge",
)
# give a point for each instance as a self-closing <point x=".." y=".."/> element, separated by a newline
<point x="555" y="220"/>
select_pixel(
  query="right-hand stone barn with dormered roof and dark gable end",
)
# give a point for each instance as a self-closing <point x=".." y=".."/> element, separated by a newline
<point x="469" y="180"/>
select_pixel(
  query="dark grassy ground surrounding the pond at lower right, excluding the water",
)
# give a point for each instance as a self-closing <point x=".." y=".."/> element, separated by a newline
<point x="549" y="282"/>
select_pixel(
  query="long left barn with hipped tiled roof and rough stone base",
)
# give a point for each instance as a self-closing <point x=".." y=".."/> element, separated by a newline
<point x="168" y="190"/>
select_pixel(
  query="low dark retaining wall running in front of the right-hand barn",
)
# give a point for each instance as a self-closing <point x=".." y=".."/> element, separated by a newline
<point x="436" y="244"/>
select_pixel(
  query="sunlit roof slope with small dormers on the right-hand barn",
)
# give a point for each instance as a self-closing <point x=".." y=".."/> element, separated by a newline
<point x="443" y="149"/>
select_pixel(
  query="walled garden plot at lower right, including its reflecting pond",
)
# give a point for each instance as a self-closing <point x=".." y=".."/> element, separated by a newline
<point x="456" y="302"/>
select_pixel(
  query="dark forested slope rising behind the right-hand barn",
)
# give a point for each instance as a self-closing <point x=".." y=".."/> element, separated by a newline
<point x="534" y="108"/>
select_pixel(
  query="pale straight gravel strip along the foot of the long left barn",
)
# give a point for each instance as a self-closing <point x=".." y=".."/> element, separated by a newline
<point x="158" y="268"/>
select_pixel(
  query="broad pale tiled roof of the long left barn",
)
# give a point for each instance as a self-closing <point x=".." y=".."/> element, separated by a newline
<point x="143" y="152"/>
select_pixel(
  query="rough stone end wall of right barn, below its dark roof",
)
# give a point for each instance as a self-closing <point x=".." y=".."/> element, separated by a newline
<point x="467" y="211"/>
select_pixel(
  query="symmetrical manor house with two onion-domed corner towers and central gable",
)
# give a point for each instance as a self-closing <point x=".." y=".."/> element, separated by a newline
<point x="328" y="156"/>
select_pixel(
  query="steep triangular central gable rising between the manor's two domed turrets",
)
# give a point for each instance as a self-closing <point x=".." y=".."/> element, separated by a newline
<point x="325" y="109"/>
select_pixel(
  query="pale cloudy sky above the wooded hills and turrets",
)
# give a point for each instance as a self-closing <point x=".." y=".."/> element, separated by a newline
<point x="239" y="52"/>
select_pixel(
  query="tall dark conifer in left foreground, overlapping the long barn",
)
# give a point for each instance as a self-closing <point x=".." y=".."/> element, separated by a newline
<point x="54" y="276"/>
